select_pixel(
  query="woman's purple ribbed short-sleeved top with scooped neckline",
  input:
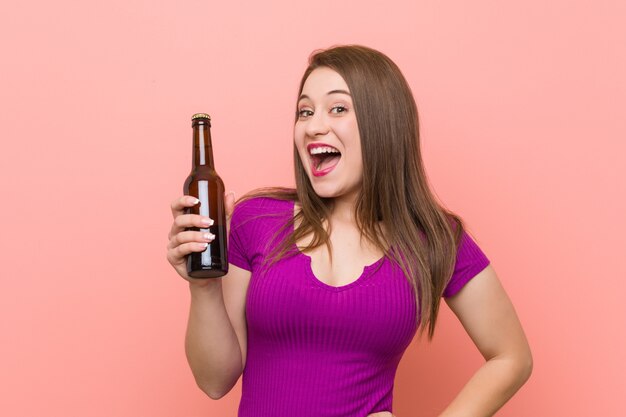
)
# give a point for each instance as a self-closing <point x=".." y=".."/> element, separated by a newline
<point x="314" y="349"/>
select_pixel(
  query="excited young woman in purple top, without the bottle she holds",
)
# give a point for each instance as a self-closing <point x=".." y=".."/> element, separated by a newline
<point x="329" y="283"/>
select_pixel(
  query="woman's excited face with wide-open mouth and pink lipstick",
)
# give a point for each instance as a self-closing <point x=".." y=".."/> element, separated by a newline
<point x="326" y="136"/>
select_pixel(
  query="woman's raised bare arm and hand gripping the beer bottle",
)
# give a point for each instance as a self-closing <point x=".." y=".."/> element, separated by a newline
<point x="216" y="337"/>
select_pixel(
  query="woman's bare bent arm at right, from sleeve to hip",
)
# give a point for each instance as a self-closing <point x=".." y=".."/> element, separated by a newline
<point x="489" y="318"/>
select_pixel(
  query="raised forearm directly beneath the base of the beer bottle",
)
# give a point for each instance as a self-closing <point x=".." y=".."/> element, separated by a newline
<point x="211" y="343"/>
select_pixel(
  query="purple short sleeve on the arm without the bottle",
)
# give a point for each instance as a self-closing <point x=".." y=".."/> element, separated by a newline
<point x="470" y="260"/>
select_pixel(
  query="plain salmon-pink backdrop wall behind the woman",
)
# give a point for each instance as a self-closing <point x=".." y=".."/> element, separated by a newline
<point x="522" y="110"/>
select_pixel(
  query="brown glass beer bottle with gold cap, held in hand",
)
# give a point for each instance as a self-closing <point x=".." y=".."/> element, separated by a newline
<point x="204" y="184"/>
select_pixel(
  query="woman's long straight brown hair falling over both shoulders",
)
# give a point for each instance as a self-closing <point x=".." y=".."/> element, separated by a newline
<point x="395" y="209"/>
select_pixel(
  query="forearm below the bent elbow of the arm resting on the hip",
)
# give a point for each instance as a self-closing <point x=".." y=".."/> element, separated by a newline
<point x="490" y="387"/>
